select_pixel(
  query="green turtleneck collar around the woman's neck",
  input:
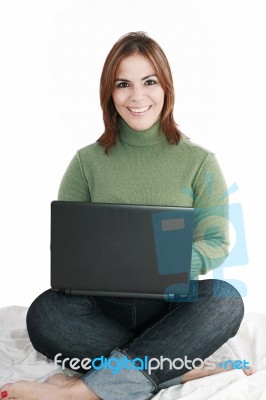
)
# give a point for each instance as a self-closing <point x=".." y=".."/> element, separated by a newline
<point x="148" y="137"/>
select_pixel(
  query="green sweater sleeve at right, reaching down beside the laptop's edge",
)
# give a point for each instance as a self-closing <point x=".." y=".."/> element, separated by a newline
<point x="211" y="232"/>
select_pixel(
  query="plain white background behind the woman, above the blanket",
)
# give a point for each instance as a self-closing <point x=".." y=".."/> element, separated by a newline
<point x="51" y="56"/>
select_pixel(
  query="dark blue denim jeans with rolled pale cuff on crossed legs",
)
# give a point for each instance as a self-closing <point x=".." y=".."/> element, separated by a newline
<point x="90" y="327"/>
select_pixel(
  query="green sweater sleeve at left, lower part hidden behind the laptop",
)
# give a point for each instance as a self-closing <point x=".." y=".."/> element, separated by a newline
<point x="74" y="186"/>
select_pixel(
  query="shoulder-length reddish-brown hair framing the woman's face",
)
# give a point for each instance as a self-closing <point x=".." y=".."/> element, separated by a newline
<point x="132" y="43"/>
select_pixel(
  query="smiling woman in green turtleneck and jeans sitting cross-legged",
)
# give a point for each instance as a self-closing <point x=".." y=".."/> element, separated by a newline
<point x="142" y="158"/>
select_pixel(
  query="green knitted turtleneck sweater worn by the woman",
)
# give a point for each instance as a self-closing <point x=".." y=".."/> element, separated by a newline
<point x="143" y="168"/>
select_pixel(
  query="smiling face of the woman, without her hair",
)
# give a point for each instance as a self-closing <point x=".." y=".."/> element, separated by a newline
<point x="137" y="95"/>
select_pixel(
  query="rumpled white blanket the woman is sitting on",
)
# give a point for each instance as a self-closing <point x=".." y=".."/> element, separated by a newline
<point x="18" y="360"/>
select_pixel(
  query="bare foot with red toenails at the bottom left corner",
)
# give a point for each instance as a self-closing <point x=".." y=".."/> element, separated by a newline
<point x="58" y="388"/>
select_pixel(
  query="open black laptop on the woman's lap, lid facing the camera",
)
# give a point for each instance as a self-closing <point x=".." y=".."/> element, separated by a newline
<point x="121" y="250"/>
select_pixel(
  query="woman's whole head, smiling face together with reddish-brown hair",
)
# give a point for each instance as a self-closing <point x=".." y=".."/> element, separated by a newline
<point x="148" y="66"/>
